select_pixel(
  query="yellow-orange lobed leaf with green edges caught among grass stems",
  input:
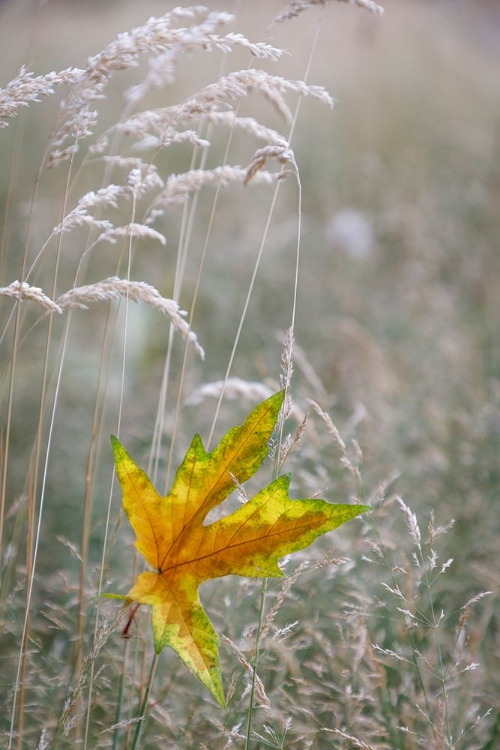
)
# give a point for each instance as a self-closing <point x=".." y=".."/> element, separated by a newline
<point x="184" y="552"/>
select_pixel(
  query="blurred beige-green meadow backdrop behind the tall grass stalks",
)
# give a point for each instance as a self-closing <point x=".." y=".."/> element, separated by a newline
<point x="399" y="290"/>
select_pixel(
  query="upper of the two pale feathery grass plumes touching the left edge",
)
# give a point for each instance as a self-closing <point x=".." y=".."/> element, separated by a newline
<point x="26" y="87"/>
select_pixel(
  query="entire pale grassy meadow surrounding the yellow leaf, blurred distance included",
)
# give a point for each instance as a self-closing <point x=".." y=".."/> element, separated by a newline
<point x="186" y="225"/>
